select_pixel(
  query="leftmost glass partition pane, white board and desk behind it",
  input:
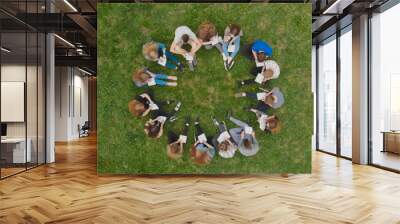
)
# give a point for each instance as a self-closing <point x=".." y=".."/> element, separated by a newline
<point x="14" y="153"/>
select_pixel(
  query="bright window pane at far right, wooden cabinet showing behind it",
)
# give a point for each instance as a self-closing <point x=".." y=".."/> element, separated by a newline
<point x="385" y="88"/>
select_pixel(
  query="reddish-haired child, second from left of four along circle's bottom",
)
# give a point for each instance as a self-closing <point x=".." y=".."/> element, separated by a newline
<point x="202" y="151"/>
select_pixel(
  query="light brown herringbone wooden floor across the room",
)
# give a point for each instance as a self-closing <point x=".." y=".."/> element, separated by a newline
<point x="70" y="191"/>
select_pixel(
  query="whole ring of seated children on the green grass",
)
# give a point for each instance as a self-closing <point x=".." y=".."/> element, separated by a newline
<point x="225" y="142"/>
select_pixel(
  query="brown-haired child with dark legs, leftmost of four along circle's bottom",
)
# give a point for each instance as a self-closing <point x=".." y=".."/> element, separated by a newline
<point x="176" y="142"/>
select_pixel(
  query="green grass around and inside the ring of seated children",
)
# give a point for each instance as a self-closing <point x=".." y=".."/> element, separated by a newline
<point x="123" y="147"/>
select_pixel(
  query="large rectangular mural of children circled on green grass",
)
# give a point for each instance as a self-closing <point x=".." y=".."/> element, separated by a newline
<point x="204" y="88"/>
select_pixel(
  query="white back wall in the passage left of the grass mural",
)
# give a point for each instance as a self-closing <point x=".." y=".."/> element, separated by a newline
<point x="70" y="83"/>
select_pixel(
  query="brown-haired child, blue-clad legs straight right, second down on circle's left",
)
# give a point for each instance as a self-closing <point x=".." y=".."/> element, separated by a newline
<point x="143" y="77"/>
